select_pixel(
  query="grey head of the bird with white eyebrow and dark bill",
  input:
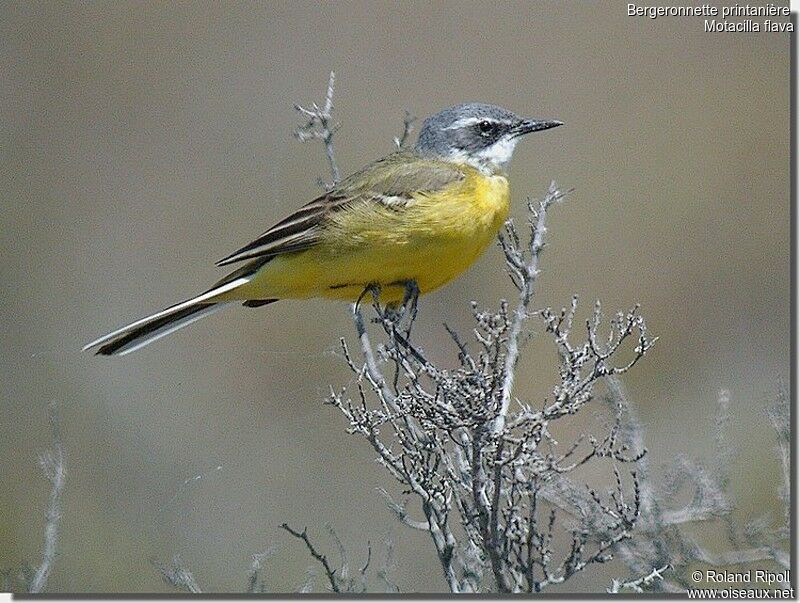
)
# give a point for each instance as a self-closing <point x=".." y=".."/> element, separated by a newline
<point x="481" y="135"/>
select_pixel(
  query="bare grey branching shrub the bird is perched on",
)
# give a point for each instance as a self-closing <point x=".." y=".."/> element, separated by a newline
<point x="436" y="433"/>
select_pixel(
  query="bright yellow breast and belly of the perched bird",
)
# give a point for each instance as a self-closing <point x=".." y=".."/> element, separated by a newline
<point x="431" y="242"/>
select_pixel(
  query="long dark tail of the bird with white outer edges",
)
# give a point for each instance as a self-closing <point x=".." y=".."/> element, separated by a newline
<point x="147" y="330"/>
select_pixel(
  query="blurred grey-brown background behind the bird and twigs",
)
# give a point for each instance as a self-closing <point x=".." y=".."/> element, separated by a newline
<point x="142" y="141"/>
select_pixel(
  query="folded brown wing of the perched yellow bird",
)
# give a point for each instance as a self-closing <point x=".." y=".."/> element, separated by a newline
<point x="393" y="181"/>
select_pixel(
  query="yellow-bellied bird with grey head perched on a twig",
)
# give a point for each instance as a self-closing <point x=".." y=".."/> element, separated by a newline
<point x="418" y="217"/>
